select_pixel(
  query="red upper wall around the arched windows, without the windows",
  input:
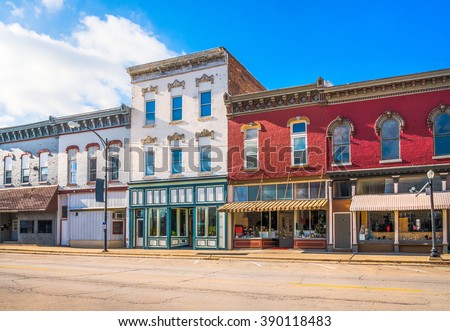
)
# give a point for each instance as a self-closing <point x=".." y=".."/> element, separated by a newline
<point x="416" y="140"/>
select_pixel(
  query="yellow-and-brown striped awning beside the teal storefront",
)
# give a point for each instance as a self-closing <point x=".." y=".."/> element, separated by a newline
<point x="279" y="205"/>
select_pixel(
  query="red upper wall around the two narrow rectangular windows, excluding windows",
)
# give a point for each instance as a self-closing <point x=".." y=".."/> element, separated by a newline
<point x="275" y="144"/>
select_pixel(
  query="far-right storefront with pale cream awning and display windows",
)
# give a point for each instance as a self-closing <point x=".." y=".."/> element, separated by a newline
<point x="400" y="222"/>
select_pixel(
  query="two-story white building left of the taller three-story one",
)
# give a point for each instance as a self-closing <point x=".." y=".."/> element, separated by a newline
<point x="81" y="162"/>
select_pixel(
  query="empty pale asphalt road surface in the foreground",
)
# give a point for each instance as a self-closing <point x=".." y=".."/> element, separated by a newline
<point x="63" y="283"/>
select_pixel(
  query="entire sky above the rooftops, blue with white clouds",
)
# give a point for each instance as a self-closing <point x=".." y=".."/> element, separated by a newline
<point x="59" y="57"/>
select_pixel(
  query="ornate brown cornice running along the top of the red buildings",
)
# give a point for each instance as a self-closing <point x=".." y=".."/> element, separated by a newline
<point x="322" y="94"/>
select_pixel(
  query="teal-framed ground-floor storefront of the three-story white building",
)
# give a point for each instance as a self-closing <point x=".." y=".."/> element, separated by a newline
<point x="178" y="214"/>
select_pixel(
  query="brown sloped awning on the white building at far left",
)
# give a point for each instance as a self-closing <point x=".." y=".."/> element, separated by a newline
<point x="42" y="198"/>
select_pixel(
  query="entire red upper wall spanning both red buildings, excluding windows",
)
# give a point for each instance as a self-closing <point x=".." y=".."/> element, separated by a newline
<point x="416" y="146"/>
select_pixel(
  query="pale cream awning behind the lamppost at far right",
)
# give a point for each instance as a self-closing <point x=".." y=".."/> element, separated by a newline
<point x="392" y="202"/>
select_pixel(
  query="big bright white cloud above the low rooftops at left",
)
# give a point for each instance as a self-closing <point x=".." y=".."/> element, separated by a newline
<point x="42" y="76"/>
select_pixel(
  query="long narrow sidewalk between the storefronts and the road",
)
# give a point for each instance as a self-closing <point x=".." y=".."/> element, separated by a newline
<point x="289" y="255"/>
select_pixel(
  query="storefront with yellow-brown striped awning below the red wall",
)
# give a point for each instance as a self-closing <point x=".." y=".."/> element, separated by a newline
<point x="286" y="216"/>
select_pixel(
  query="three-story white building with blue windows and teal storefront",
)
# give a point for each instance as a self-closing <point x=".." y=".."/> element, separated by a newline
<point x="178" y="149"/>
